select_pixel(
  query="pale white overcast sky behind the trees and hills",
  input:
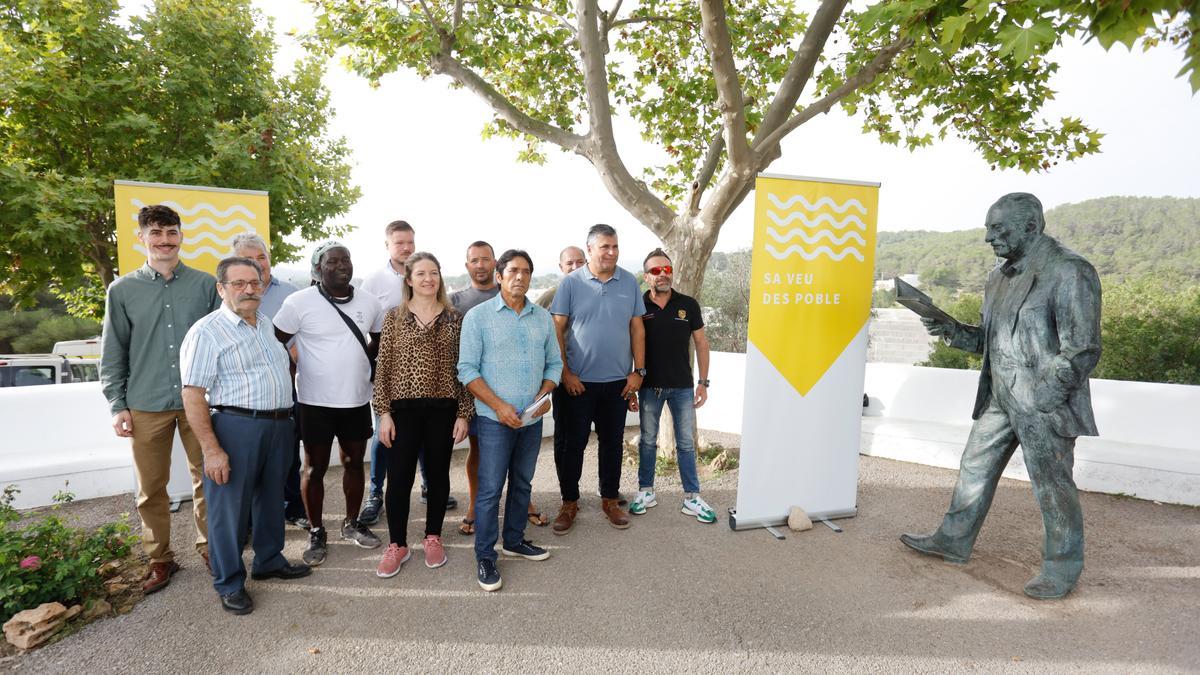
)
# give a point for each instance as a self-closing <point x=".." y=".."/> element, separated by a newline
<point x="418" y="156"/>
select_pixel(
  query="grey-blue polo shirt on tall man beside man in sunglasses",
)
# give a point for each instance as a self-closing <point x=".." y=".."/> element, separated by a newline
<point x="598" y="344"/>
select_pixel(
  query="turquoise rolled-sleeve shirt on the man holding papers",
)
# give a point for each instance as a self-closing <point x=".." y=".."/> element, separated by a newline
<point x="513" y="354"/>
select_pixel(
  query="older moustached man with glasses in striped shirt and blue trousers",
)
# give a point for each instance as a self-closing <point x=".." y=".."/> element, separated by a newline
<point x="244" y="428"/>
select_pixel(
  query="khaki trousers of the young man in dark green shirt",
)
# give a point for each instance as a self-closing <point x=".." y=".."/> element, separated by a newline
<point x="154" y="434"/>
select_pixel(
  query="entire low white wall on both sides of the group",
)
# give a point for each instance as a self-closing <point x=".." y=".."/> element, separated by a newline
<point x="61" y="437"/>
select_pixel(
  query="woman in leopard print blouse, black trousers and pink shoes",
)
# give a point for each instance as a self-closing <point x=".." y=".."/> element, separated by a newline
<point x="421" y="404"/>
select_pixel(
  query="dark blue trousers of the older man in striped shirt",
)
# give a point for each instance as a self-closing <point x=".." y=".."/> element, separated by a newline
<point x="259" y="455"/>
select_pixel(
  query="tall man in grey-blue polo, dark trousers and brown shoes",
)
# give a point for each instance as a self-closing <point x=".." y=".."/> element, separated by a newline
<point x="598" y="315"/>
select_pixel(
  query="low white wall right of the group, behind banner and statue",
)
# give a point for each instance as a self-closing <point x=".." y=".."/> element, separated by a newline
<point x="1149" y="444"/>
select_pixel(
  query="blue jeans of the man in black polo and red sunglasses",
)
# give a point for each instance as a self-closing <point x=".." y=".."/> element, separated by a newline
<point x="683" y="410"/>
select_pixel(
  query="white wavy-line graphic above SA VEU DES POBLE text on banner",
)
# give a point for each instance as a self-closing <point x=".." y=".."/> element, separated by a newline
<point x="813" y="228"/>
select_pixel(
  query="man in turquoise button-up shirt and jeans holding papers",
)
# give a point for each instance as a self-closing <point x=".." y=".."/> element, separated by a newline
<point x="508" y="359"/>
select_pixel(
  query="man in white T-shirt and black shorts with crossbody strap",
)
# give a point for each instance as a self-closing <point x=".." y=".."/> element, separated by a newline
<point x="337" y="332"/>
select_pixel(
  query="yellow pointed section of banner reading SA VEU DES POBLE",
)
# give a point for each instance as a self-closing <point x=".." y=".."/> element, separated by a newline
<point x="813" y="271"/>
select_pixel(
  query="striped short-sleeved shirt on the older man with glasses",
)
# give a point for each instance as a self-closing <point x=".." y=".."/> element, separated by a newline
<point x="241" y="366"/>
